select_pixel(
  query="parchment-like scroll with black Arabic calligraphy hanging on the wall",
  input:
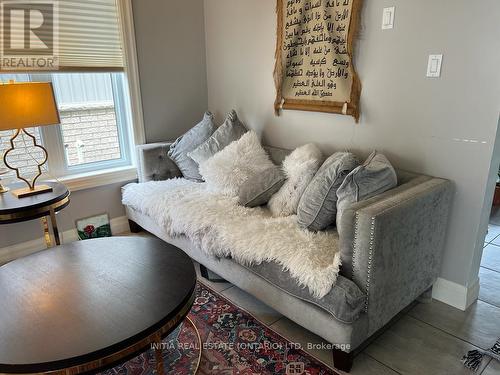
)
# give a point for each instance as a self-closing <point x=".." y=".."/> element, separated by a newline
<point x="314" y="68"/>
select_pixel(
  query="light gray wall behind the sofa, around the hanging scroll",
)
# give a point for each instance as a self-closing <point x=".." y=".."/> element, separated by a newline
<point x="443" y="127"/>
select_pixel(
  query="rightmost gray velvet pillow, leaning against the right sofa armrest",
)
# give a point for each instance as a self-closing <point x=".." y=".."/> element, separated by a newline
<point x="373" y="177"/>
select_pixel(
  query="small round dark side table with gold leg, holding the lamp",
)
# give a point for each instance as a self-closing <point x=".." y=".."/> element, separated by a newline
<point x="16" y="210"/>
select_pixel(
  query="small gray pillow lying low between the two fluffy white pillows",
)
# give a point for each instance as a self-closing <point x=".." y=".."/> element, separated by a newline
<point x="259" y="188"/>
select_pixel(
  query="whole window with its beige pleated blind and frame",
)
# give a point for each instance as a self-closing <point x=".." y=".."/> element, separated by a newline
<point x="98" y="124"/>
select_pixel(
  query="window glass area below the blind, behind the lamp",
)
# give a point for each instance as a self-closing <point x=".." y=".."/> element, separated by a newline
<point x="95" y="124"/>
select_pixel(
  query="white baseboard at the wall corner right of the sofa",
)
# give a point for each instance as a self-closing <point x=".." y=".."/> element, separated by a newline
<point x="456" y="295"/>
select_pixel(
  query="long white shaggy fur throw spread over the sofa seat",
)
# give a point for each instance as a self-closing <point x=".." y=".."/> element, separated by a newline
<point x="222" y="228"/>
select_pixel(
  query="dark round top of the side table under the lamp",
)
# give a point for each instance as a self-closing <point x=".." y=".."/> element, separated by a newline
<point x="34" y="206"/>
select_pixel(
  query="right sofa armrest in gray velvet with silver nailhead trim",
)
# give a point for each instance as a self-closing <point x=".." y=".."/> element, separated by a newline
<point x="397" y="245"/>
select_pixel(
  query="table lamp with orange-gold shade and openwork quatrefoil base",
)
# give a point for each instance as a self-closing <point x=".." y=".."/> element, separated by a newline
<point x="24" y="105"/>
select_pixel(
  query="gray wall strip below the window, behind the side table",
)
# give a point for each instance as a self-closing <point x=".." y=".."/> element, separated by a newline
<point x="83" y="203"/>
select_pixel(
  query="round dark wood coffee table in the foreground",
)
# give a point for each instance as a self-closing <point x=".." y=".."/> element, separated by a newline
<point x="92" y="304"/>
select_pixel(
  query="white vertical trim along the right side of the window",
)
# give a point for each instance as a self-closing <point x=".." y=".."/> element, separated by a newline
<point x="132" y="69"/>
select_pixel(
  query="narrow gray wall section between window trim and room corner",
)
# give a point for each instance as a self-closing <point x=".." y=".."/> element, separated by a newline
<point x="171" y="53"/>
